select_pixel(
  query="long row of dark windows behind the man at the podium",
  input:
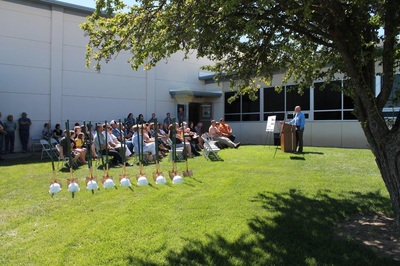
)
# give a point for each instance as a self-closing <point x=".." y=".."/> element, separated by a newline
<point x="329" y="103"/>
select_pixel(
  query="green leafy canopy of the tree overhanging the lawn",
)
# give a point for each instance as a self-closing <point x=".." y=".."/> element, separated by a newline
<point x="309" y="40"/>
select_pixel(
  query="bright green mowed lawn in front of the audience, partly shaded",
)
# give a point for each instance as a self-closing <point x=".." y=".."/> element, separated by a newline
<point x="254" y="208"/>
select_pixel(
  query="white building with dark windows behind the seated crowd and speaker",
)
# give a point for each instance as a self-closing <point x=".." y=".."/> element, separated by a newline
<point x="43" y="73"/>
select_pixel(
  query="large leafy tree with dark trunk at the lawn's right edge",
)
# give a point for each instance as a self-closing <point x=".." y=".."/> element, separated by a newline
<point x="249" y="40"/>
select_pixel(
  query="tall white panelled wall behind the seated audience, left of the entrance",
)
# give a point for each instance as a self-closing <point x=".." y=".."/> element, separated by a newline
<point x="43" y="72"/>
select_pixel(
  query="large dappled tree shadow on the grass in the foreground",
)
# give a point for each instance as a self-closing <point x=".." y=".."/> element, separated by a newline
<point x="298" y="230"/>
